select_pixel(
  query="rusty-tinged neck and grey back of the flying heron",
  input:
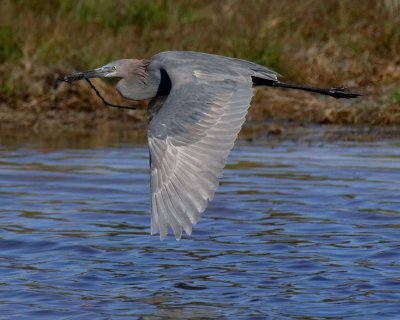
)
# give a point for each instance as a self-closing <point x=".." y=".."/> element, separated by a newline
<point x="188" y="65"/>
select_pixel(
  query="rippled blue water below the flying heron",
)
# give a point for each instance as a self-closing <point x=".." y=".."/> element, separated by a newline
<point x="295" y="231"/>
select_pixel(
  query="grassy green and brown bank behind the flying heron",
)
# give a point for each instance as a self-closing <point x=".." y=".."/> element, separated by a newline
<point x="329" y="43"/>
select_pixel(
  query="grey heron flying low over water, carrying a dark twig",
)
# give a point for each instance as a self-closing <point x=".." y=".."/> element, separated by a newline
<point x="198" y="103"/>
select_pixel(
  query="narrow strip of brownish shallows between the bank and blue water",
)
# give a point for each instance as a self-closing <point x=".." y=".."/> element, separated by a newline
<point x="252" y="133"/>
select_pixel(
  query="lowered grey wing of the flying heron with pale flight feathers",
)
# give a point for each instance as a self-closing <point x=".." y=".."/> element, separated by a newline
<point x="190" y="138"/>
